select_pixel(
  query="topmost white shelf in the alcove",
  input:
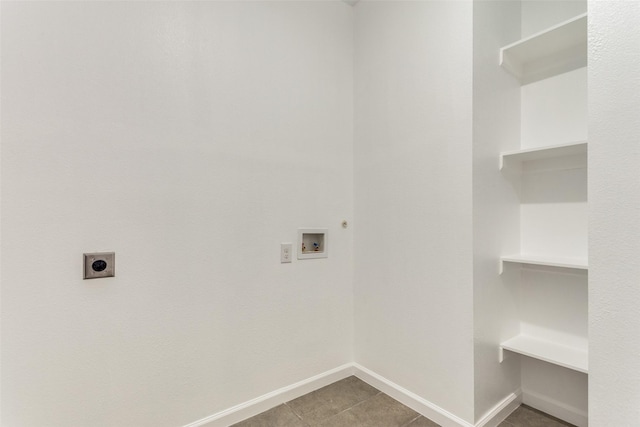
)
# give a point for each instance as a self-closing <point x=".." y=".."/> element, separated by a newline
<point x="554" y="51"/>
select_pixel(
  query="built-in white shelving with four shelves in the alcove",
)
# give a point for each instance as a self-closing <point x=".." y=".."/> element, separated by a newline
<point x="550" y="186"/>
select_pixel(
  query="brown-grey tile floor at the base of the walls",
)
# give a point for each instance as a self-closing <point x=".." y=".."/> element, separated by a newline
<point x="353" y="403"/>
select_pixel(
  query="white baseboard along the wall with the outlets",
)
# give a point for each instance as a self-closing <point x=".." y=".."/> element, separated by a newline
<point x="267" y="401"/>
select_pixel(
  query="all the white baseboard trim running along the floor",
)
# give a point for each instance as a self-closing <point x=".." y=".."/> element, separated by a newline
<point x="439" y="415"/>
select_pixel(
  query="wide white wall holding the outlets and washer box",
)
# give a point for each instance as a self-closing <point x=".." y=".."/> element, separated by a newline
<point x="191" y="138"/>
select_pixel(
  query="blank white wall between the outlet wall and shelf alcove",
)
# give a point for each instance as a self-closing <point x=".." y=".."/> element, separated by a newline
<point x="413" y="237"/>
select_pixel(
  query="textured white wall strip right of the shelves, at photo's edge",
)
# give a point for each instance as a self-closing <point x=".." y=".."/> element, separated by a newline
<point x="614" y="208"/>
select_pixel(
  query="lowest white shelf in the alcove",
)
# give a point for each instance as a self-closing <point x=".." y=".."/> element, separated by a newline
<point x="558" y="354"/>
